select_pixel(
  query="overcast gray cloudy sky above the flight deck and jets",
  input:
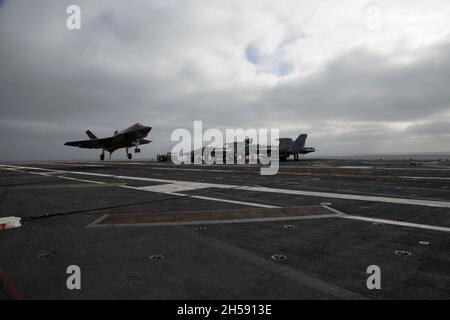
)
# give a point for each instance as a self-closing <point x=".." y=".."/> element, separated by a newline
<point x="357" y="76"/>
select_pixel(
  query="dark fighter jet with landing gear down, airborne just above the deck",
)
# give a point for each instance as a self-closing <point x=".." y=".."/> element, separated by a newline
<point x="128" y="138"/>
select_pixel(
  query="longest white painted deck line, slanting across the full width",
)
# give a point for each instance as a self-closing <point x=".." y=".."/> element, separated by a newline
<point x="417" y="202"/>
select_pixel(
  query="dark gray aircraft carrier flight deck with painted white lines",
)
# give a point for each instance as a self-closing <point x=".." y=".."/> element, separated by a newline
<point x="145" y="230"/>
